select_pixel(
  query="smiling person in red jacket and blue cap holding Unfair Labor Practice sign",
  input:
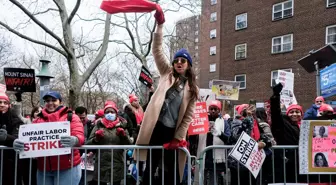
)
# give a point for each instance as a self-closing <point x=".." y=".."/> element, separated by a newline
<point x="67" y="167"/>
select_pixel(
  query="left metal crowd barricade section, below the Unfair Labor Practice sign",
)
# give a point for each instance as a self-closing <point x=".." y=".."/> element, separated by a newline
<point x="99" y="148"/>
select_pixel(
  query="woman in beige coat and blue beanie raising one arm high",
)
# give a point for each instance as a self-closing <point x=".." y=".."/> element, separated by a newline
<point x="169" y="112"/>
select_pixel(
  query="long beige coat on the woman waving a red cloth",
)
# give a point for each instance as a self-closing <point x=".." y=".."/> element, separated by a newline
<point x="156" y="102"/>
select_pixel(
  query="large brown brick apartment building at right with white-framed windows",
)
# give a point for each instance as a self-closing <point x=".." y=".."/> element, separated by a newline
<point x="248" y="40"/>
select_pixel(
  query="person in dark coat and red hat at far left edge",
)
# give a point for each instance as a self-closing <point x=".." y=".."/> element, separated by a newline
<point x="9" y="126"/>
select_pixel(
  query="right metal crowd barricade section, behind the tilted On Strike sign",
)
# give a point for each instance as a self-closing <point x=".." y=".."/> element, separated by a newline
<point x="276" y="167"/>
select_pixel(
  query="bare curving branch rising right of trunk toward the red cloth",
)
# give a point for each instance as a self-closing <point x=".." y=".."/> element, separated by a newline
<point x="101" y="53"/>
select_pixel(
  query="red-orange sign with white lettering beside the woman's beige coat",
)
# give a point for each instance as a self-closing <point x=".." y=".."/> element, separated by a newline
<point x="200" y="122"/>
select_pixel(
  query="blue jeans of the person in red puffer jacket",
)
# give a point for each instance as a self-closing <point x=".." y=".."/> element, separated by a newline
<point x="70" y="176"/>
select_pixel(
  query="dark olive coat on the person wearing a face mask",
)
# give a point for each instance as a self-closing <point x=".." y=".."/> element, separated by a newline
<point x="110" y="138"/>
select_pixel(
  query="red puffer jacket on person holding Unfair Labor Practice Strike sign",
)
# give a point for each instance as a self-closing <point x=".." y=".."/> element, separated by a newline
<point x="76" y="129"/>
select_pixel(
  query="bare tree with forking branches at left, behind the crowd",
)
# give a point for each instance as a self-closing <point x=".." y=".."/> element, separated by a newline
<point x="65" y="44"/>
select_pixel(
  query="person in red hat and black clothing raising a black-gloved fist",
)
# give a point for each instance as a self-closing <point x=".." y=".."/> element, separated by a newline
<point x="286" y="131"/>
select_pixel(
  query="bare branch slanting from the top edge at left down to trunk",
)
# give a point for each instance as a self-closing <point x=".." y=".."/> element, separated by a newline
<point x="30" y="15"/>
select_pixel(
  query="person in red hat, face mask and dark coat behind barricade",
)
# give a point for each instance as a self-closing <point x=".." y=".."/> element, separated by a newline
<point x="110" y="130"/>
